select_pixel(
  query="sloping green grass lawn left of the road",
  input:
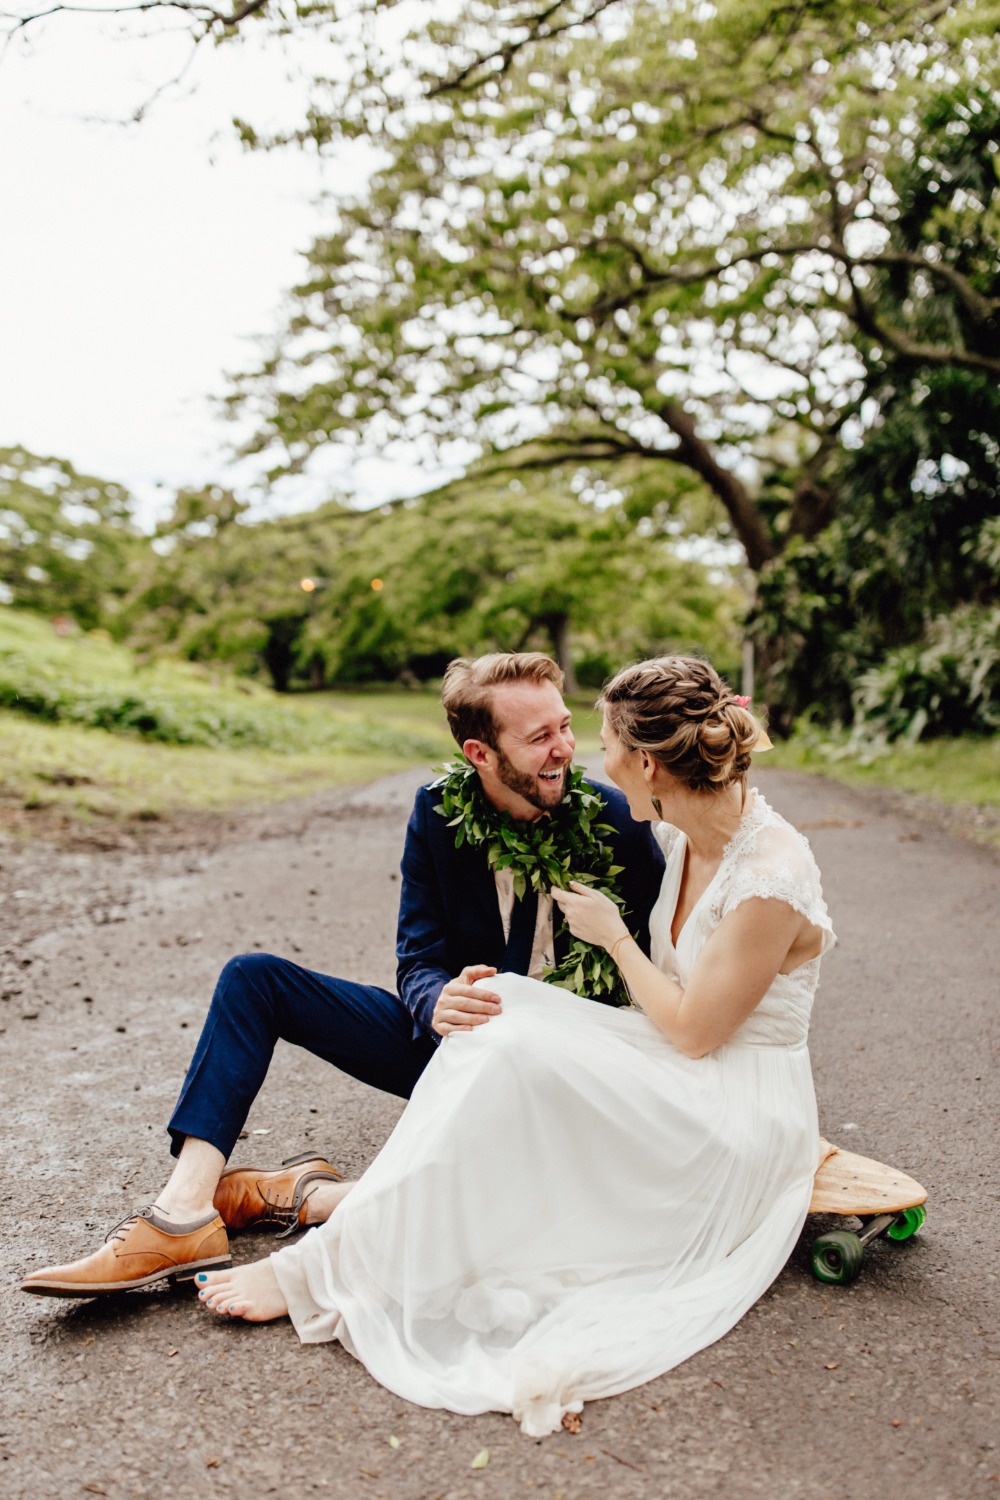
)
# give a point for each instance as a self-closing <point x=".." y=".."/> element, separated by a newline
<point x="74" y="748"/>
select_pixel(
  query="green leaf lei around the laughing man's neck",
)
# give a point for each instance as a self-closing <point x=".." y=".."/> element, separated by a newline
<point x="554" y="851"/>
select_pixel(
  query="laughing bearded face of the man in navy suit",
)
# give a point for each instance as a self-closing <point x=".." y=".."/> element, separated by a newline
<point x="534" y="749"/>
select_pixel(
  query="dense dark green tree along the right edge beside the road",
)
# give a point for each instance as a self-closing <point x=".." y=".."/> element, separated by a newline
<point x="921" y="491"/>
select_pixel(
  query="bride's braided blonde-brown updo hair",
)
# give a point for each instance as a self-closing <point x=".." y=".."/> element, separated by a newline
<point x="680" y="710"/>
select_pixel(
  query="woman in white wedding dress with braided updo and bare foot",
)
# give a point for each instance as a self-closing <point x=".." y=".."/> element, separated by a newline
<point x="579" y="1198"/>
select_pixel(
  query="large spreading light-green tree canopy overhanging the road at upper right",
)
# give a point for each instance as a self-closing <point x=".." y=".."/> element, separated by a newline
<point x="672" y="238"/>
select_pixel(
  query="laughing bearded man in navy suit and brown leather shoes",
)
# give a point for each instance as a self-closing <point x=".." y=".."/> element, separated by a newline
<point x="458" y="923"/>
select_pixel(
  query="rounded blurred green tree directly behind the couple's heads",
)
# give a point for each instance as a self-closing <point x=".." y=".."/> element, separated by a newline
<point x="512" y="565"/>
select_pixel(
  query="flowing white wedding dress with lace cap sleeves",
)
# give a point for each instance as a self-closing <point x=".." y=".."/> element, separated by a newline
<point x="569" y="1205"/>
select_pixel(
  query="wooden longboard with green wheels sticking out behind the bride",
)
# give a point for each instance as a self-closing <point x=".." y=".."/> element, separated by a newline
<point x="885" y="1201"/>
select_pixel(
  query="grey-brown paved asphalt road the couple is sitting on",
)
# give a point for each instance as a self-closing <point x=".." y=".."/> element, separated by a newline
<point x="107" y="962"/>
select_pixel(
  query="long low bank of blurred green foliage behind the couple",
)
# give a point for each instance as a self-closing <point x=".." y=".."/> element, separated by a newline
<point x="484" y="565"/>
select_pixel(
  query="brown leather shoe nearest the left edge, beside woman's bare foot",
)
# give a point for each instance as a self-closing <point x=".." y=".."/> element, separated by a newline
<point x="142" y="1250"/>
